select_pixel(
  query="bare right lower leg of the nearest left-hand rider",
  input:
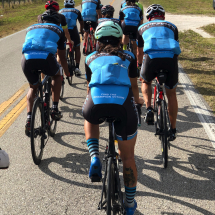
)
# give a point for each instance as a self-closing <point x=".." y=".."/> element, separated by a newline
<point x="56" y="87"/>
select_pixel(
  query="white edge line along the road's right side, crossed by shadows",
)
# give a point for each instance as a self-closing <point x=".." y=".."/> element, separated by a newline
<point x="198" y="105"/>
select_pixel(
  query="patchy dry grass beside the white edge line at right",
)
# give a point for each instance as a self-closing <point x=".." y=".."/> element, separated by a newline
<point x="197" y="59"/>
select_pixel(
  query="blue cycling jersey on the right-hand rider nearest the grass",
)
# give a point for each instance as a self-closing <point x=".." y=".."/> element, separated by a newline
<point x="160" y="39"/>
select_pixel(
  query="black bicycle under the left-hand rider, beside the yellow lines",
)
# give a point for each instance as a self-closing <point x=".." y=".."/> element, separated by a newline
<point x="42" y="125"/>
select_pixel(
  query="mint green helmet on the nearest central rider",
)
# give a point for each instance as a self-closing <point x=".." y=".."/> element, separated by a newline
<point x="108" y="30"/>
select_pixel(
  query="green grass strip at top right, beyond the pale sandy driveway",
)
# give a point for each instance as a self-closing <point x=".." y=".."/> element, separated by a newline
<point x="184" y="6"/>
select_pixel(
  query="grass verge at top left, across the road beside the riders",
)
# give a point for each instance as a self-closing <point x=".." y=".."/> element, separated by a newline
<point x="21" y="16"/>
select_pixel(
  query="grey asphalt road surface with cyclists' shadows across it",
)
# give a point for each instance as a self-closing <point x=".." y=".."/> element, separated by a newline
<point x="60" y="185"/>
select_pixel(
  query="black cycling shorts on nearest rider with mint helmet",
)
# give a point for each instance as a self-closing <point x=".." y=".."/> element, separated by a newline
<point x="125" y="126"/>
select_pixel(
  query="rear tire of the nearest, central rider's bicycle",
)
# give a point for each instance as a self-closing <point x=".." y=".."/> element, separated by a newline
<point x="110" y="186"/>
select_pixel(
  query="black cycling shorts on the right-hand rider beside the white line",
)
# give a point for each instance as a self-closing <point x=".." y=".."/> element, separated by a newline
<point x="150" y="66"/>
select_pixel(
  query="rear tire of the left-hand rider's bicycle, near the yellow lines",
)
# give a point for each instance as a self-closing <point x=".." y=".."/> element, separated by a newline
<point x="35" y="132"/>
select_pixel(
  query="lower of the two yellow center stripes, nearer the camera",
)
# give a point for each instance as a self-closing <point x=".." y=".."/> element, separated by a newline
<point x="7" y="121"/>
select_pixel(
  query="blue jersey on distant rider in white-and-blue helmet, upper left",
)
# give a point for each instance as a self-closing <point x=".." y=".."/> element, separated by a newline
<point x="71" y="15"/>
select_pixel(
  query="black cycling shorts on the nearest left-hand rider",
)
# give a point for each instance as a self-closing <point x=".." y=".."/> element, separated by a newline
<point x="48" y="66"/>
